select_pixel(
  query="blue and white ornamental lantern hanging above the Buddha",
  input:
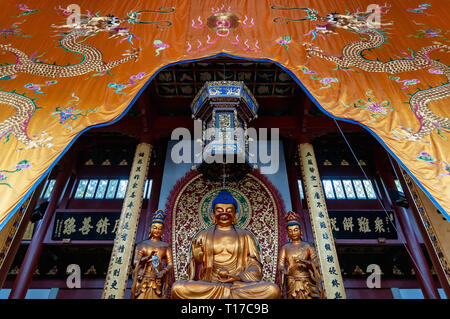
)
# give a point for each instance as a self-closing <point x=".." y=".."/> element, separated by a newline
<point x="225" y="108"/>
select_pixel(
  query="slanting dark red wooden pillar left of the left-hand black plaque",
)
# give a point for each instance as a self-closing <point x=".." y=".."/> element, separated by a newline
<point x="34" y="251"/>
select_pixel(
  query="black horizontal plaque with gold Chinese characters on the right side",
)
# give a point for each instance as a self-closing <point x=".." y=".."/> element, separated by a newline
<point x="362" y="225"/>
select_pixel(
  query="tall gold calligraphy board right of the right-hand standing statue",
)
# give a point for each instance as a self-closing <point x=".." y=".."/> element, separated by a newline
<point x="320" y="222"/>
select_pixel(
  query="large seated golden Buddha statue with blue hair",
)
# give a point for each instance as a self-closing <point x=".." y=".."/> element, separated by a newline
<point x="228" y="260"/>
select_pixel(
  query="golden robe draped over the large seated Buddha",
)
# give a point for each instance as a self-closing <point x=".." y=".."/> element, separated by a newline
<point x="244" y="262"/>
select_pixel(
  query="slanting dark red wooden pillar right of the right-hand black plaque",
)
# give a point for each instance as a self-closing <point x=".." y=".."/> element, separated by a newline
<point x="419" y="262"/>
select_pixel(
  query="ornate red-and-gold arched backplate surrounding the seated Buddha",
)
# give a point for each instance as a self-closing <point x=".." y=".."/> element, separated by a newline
<point x="186" y="223"/>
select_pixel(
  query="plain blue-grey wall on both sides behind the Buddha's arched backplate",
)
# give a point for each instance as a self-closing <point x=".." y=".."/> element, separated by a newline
<point x="173" y="172"/>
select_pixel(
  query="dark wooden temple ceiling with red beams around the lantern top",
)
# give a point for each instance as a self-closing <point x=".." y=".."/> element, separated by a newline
<point x="165" y="104"/>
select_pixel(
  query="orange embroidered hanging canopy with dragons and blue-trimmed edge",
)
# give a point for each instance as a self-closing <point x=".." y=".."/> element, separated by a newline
<point x="65" y="69"/>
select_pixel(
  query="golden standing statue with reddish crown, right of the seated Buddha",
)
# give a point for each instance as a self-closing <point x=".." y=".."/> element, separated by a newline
<point x="301" y="277"/>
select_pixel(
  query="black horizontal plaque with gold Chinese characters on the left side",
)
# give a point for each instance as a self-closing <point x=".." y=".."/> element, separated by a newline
<point x="85" y="225"/>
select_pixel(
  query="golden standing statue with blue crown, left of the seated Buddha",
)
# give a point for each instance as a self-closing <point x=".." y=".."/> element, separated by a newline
<point x="150" y="278"/>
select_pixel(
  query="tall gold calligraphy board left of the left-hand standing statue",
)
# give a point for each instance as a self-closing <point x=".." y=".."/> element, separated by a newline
<point x="119" y="265"/>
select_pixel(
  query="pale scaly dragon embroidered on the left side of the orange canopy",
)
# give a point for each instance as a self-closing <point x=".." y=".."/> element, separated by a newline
<point x="17" y="124"/>
